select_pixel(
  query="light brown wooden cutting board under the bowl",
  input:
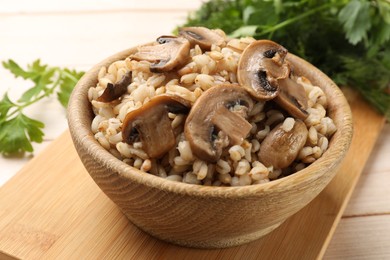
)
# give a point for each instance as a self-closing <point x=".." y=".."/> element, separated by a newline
<point x="52" y="209"/>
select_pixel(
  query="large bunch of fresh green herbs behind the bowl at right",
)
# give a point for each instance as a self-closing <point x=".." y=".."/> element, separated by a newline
<point x="349" y="40"/>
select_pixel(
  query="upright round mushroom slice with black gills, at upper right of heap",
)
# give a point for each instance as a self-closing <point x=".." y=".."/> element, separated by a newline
<point x="260" y="67"/>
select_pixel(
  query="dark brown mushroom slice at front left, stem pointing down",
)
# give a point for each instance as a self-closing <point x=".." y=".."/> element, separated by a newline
<point x="150" y="123"/>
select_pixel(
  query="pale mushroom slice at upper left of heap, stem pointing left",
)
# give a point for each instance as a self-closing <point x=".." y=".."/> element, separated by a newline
<point x="169" y="54"/>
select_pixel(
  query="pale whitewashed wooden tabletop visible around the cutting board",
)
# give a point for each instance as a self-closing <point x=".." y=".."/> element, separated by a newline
<point x="78" y="34"/>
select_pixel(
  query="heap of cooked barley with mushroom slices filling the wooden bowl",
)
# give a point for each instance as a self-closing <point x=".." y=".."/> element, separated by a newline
<point x="259" y="146"/>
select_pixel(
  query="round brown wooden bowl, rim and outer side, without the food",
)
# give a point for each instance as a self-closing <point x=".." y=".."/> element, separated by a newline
<point x="201" y="216"/>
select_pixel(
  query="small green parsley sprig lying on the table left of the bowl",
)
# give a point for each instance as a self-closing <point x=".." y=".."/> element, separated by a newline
<point x="17" y="130"/>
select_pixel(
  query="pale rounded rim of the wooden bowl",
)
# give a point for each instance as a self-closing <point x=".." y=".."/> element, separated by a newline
<point x="80" y="128"/>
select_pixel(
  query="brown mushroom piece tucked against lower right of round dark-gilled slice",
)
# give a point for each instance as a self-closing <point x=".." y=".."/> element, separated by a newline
<point x="292" y="97"/>
